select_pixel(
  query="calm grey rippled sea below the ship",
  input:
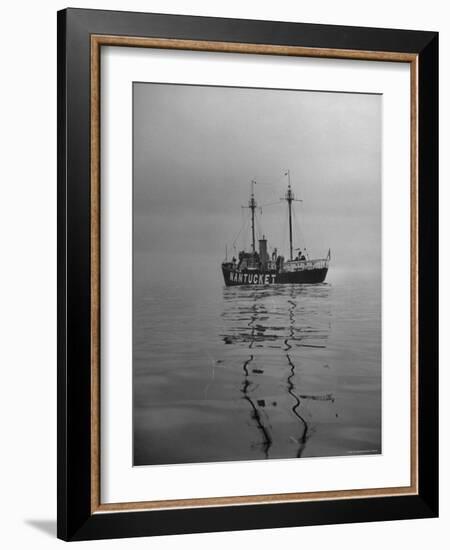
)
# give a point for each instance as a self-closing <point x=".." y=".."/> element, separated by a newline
<point x="249" y="373"/>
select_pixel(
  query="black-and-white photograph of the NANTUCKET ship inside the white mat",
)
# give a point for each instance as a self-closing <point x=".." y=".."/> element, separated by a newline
<point x="257" y="266"/>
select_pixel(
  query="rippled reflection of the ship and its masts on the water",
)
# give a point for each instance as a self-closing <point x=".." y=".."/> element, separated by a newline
<point x="285" y="327"/>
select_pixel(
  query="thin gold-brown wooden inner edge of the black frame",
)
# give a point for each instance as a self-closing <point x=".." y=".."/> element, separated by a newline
<point x="231" y="47"/>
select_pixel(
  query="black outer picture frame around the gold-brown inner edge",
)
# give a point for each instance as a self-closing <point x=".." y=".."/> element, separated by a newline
<point x="75" y="518"/>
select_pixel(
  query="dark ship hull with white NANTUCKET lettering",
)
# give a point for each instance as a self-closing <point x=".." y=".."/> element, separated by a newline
<point x="263" y="278"/>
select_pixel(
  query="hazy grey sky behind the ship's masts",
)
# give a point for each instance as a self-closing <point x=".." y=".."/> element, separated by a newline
<point x="196" y="148"/>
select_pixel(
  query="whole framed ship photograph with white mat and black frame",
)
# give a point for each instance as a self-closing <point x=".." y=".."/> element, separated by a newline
<point x="247" y="255"/>
